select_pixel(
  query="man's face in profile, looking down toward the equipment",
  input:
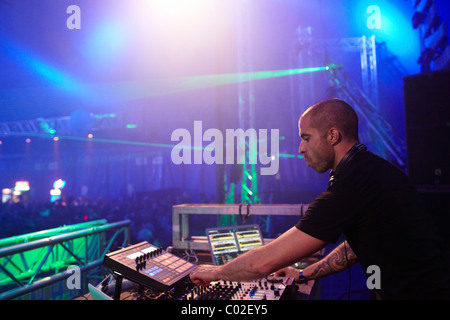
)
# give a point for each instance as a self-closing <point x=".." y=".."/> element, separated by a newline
<point x="317" y="153"/>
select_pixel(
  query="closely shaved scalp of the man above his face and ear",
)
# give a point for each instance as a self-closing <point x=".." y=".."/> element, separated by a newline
<point x="334" y="113"/>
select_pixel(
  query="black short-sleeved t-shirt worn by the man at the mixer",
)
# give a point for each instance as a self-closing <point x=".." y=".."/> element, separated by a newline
<point x="377" y="209"/>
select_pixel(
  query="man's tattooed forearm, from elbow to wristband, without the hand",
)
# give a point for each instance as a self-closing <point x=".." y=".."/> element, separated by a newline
<point x="339" y="259"/>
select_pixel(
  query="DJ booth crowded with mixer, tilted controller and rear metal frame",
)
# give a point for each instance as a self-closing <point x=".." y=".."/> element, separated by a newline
<point x="144" y="271"/>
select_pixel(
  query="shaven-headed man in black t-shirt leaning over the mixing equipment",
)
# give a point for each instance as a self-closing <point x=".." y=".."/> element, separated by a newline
<point x="368" y="201"/>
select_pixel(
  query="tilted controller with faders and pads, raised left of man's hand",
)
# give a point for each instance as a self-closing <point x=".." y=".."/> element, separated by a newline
<point x="149" y="266"/>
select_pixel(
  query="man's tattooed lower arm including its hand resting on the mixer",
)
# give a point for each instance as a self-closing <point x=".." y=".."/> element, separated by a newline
<point x="334" y="262"/>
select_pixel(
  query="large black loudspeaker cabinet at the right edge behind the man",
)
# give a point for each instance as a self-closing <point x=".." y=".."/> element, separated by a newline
<point x="427" y="125"/>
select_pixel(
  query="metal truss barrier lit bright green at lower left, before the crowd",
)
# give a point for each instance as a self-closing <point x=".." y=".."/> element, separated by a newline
<point x="30" y="266"/>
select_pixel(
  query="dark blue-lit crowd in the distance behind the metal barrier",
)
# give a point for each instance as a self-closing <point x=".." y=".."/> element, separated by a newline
<point x="150" y="214"/>
